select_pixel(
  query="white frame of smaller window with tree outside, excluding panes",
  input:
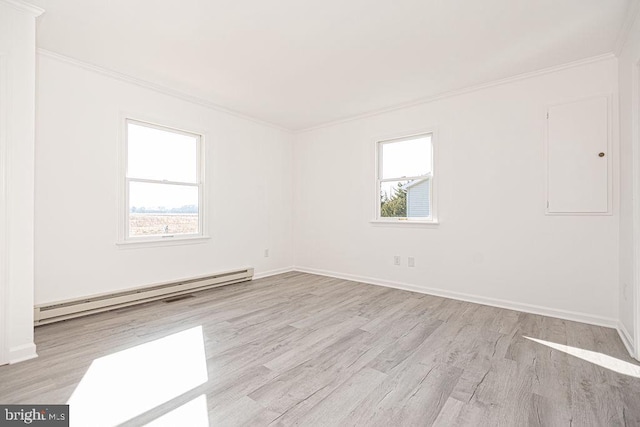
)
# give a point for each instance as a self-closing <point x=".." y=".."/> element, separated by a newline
<point x="432" y="176"/>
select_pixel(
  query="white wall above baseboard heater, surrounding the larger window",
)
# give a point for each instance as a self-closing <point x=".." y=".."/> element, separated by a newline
<point x="248" y="184"/>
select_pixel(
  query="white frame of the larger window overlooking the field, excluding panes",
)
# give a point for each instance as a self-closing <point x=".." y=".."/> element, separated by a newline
<point x="124" y="182"/>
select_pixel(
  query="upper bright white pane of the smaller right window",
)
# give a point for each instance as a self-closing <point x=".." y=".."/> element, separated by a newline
<point x="411" y="157"/>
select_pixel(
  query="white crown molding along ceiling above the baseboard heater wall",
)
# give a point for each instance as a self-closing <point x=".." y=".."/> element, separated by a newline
<point x="154" y="87"/>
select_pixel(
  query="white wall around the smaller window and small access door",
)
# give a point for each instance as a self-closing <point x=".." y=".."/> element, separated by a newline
<point x="494" y="243"/>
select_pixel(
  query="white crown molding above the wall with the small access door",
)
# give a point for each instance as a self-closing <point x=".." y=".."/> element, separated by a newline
<point x="464" y="91"/>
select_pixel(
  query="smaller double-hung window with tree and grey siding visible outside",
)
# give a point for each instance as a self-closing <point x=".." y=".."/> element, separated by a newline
<point x="405" y="179"/>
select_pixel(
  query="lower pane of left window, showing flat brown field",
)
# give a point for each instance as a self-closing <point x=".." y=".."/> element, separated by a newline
<point x="162" y="209"/>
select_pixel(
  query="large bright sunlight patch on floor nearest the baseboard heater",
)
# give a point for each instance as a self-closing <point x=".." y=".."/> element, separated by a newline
<point x="123" y="385"/>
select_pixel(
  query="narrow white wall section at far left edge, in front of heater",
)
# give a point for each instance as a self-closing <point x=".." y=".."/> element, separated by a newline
<point x="17" y="112"/>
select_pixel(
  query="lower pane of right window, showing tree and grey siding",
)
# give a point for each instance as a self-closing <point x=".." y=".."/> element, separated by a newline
<point x="405" y="199"/>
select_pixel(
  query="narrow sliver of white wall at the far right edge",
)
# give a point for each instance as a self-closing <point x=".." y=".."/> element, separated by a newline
<point x="629" y="79"/>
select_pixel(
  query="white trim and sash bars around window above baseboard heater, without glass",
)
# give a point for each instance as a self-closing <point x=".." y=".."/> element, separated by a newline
<point x="123" y="239"/>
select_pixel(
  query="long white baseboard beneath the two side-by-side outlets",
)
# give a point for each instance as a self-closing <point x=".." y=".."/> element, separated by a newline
<point x="494" y="302"/>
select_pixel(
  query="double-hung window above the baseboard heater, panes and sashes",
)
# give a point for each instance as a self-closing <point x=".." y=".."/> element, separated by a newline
<point x="163" y="183"/>
